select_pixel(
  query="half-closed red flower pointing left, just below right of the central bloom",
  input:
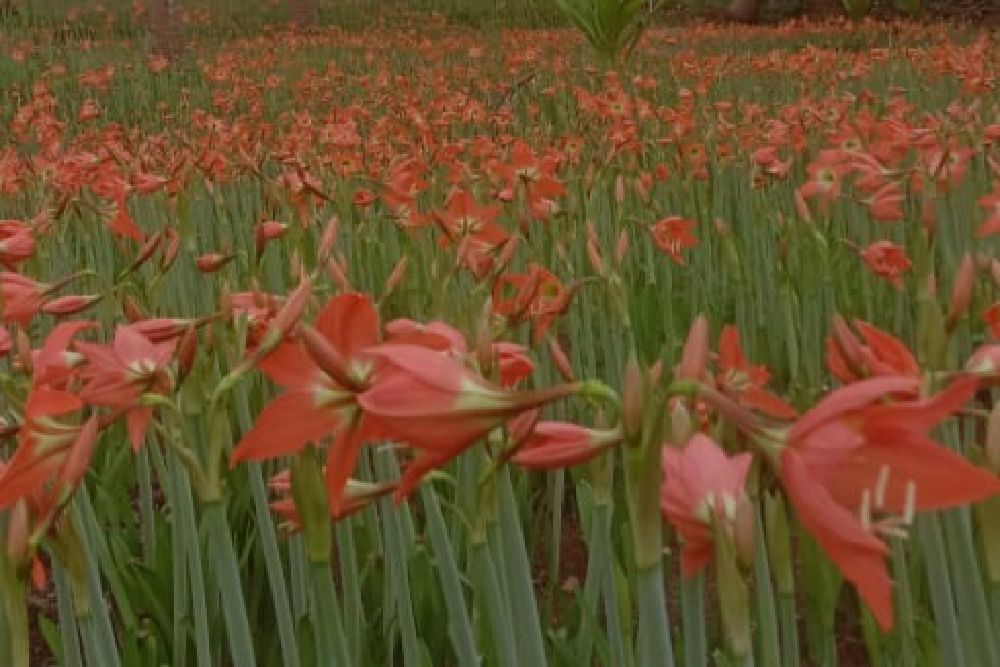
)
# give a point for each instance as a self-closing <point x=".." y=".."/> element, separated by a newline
<point x="551" y="445"/>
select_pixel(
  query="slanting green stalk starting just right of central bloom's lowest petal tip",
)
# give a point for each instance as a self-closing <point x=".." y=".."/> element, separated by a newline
<point x="459" y="626"/>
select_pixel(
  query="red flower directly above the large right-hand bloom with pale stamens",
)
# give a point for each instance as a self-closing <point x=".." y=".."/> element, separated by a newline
<point x="881" y="354"/>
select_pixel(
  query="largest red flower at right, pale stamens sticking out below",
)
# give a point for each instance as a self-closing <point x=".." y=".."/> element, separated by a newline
<point x="856" y="467"/>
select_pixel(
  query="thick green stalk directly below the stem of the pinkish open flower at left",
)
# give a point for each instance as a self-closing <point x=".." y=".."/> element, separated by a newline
<point x="225" y="566"/>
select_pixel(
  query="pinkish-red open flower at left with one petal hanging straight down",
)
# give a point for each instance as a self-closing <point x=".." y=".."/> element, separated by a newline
<point x="118" y="375"/>
